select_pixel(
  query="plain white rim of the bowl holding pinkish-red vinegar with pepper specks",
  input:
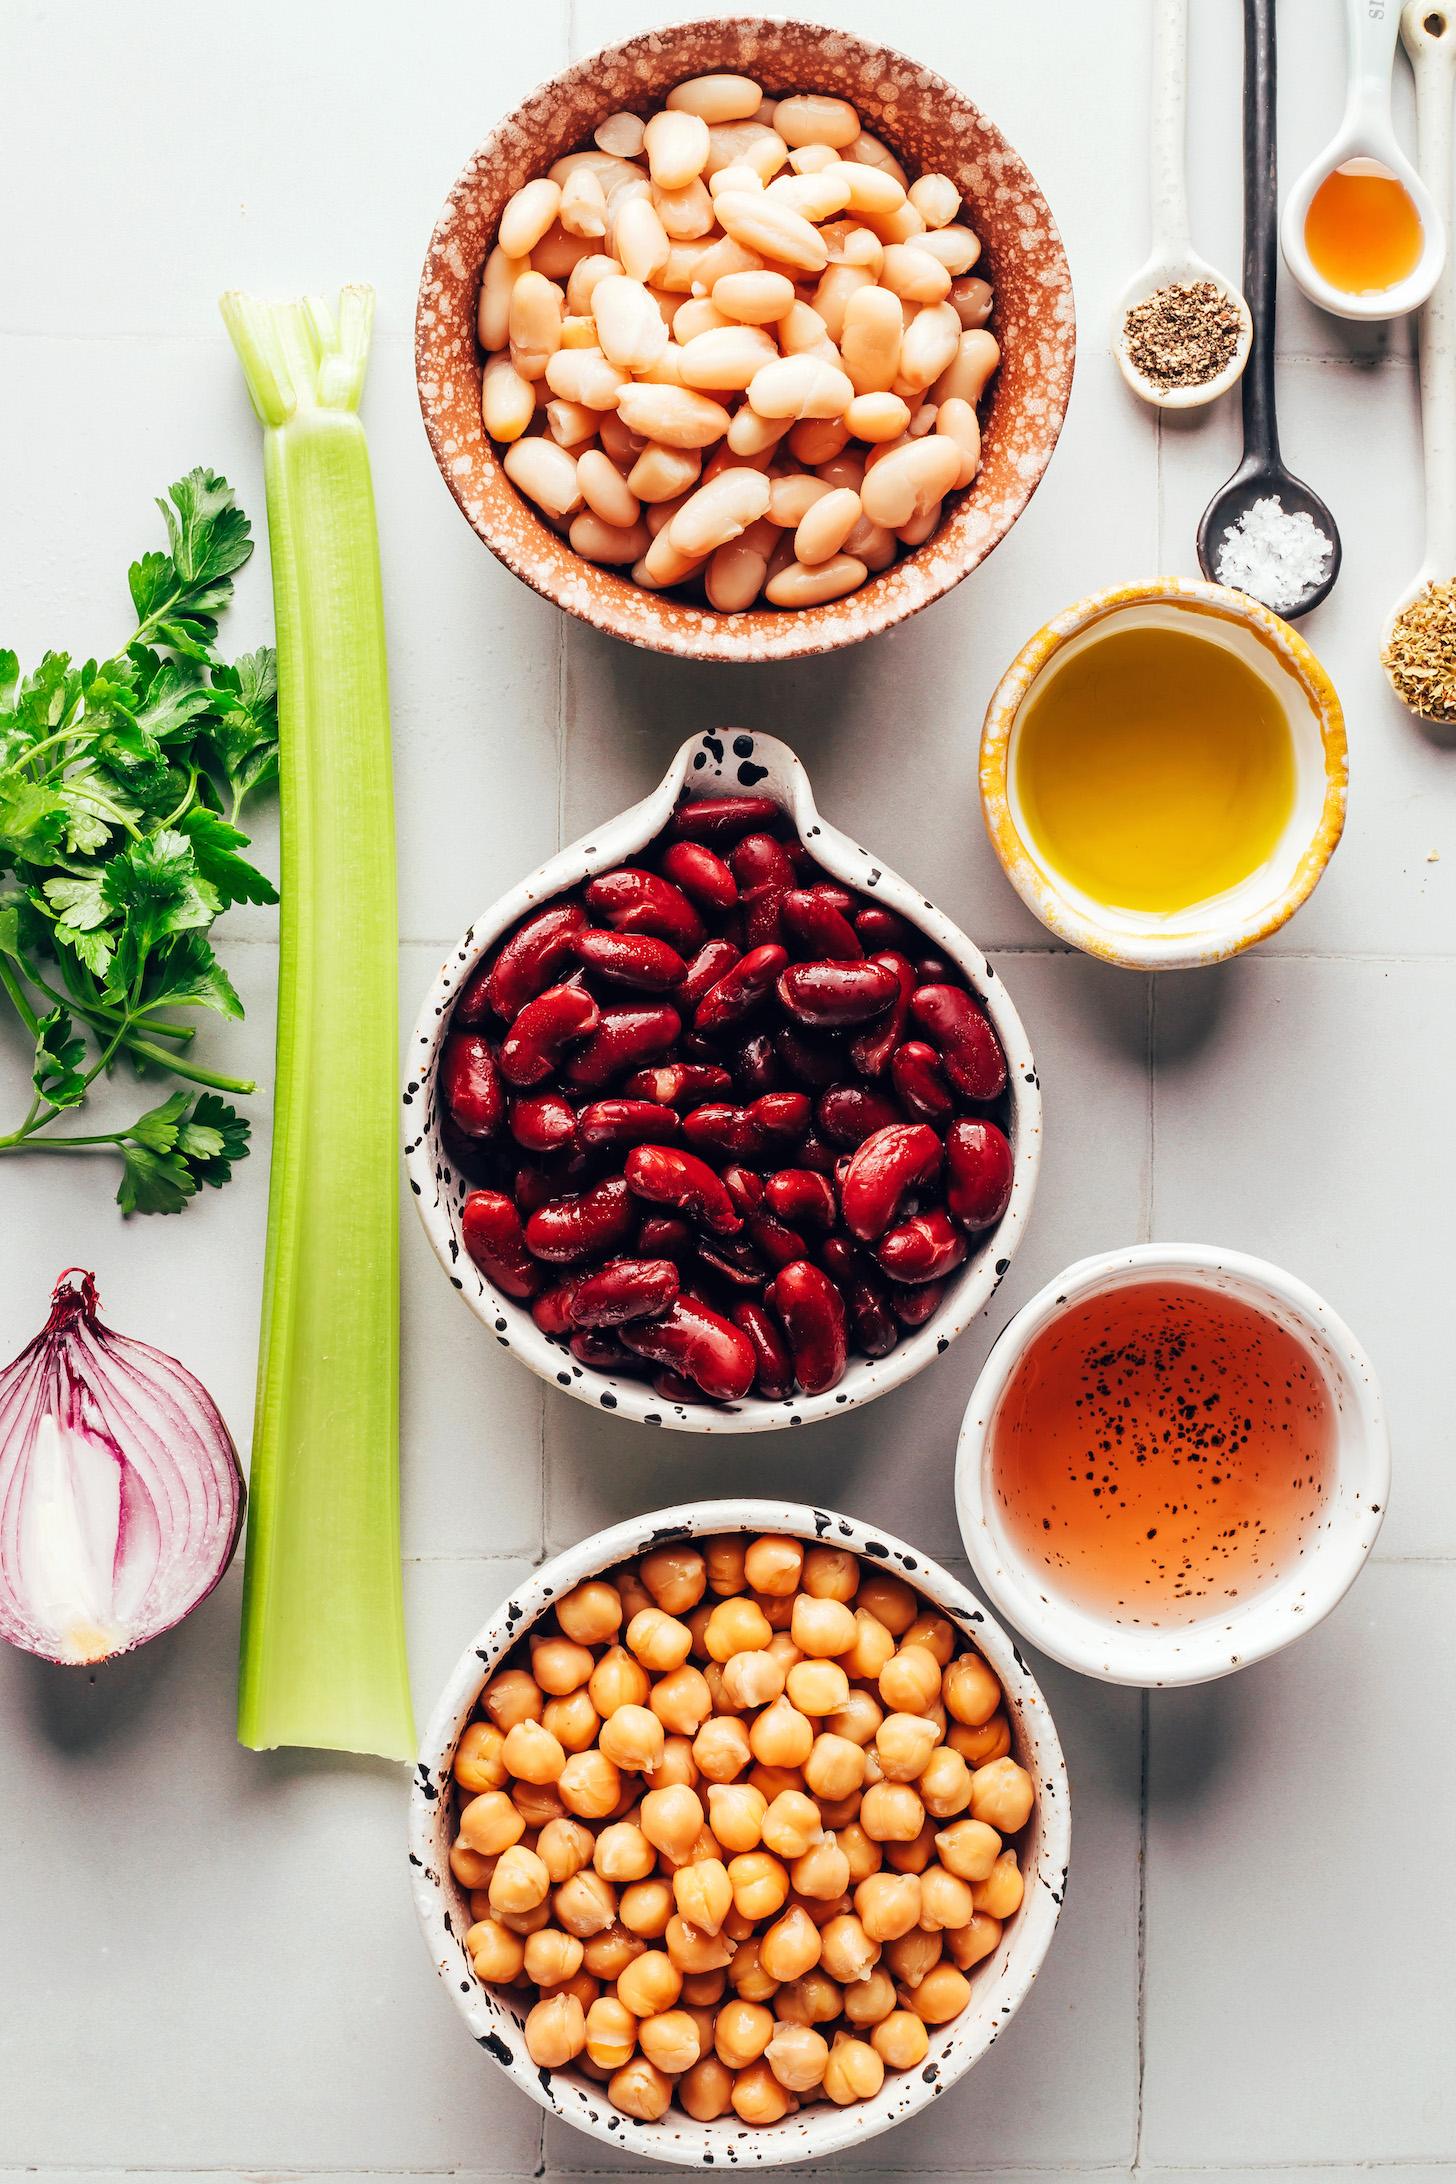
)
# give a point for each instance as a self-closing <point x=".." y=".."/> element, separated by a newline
<point x="1261" y="1626"/>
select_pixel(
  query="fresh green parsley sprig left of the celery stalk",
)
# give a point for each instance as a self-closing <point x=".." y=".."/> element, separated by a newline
<point x="121" y="787"/>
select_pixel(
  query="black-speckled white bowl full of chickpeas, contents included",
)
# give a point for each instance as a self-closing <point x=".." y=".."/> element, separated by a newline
<point x="739" y="1833"/>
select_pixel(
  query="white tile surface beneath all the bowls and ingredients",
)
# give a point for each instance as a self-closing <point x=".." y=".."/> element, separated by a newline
<point x="211" y="1958"/>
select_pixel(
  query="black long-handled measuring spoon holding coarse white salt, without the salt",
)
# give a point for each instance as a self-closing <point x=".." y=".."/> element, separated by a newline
<point x="1263" y="475"/>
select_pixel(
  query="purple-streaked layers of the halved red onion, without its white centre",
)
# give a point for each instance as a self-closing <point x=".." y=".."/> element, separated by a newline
<point x="102" y="1384"/>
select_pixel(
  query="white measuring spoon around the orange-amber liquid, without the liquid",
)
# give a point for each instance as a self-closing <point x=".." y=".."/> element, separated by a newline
<point x="1365" y="136"/>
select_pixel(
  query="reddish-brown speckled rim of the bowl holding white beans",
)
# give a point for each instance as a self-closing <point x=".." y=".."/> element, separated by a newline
<point x="693" y="632"/>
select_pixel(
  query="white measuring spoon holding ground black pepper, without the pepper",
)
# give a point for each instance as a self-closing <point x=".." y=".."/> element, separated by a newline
<point x="1173" y="257"/>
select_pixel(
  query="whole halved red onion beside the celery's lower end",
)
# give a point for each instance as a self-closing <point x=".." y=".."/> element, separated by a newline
<point x="121" y="1495"/>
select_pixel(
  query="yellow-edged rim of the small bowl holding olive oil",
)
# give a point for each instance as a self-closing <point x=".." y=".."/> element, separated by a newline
<point x="1182" y="949"/>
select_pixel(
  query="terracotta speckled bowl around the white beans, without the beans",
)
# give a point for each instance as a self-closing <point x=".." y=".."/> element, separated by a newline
<point x="929" y="126"/>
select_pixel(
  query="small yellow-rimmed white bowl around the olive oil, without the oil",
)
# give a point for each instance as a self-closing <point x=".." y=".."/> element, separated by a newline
<point x="1241" y="916"/>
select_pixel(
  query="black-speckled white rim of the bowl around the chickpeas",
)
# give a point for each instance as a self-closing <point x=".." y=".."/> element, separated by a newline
<point x="1010" y="1975"/>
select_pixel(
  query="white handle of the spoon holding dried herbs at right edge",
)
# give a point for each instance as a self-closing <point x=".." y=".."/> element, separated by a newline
<point x="1429" y="36"/>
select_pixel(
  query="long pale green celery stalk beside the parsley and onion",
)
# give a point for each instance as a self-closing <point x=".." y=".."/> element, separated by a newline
<point x="322" y="1602"/>
